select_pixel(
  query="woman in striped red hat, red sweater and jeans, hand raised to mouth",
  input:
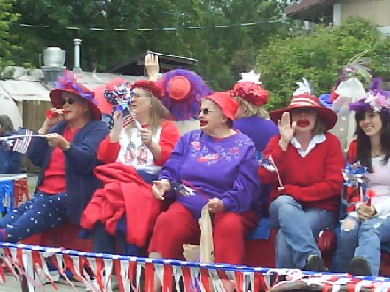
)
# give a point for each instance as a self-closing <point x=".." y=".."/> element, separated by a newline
<point x="306" y="181"/>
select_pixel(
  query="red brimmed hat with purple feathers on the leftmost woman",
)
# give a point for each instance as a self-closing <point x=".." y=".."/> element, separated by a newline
<point x="68" y="83"/>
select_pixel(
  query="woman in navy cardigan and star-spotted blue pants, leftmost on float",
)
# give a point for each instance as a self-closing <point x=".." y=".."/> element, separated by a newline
<point x="67" y="157"/>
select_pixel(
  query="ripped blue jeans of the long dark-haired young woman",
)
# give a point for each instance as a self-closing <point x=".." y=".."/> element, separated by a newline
<point x="364" y="240"/>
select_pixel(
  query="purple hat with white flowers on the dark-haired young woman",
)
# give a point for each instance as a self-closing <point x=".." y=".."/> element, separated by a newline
<point x="376" y="99"/>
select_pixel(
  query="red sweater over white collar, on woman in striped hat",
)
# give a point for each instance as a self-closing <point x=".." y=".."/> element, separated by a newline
<point x="315" y="180"/>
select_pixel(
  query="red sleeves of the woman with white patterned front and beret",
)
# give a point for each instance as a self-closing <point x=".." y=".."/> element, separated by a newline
<point x="108" y="152"/>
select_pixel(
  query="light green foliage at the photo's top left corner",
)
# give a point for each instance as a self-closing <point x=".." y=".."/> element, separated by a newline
<point x="6" y="38"/>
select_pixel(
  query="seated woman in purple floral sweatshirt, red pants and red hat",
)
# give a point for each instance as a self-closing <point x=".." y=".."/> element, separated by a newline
<point x="219" y="164"/>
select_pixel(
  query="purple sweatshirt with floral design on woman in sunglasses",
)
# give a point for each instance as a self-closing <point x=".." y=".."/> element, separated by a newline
<point x="215" y="168"/>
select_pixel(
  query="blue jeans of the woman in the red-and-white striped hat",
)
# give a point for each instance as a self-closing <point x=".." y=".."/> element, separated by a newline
<point x="298" y="230"/>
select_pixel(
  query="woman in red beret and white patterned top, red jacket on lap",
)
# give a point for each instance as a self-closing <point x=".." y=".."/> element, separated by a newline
<point x="134" y="154"/>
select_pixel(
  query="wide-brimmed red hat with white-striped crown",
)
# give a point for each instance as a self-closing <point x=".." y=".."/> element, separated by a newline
<point x="305" y="100"/>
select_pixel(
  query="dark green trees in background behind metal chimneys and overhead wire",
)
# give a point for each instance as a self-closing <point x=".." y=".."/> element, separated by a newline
<point x="222" y="52"/>
